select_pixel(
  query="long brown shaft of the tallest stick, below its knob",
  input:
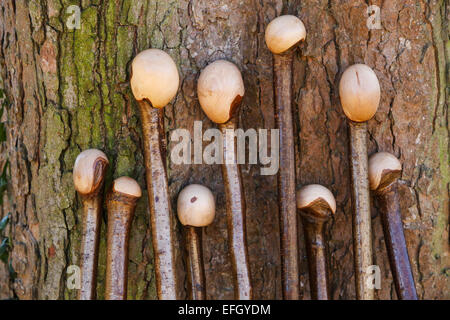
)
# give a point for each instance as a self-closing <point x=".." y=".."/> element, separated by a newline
<point x="286" y="177"/>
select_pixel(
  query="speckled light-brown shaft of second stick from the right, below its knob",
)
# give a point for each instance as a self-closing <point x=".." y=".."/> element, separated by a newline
<point x="362" y="230"/>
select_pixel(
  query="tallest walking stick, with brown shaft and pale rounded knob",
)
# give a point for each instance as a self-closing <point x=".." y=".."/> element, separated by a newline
<point x="282" y="36"/>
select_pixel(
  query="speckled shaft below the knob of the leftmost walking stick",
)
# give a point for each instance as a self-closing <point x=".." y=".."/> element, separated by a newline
<point x="92" y="206"/>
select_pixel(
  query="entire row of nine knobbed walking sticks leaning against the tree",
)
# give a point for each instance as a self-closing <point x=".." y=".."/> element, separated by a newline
<point x="154" y="82"/>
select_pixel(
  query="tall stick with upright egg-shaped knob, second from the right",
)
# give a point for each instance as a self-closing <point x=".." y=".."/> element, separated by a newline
<point x="359" y="92"/>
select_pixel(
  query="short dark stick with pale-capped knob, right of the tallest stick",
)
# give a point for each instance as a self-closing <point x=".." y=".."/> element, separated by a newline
<point x="316" y="205"/>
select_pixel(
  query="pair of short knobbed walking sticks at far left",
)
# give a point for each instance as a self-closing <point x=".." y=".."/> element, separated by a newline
<point x="88" y="175"/>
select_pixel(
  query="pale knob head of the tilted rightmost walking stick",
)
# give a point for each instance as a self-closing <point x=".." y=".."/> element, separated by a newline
<point x="384" y="168"/>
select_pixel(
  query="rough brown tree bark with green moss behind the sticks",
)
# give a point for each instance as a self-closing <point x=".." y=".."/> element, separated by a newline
<point x="68" y="90"/>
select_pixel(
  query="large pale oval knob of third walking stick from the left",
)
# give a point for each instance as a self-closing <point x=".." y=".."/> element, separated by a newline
<point x="154" y="77"/>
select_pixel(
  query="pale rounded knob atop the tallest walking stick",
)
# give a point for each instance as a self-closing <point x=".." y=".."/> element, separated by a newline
<point x="283" y="33"/>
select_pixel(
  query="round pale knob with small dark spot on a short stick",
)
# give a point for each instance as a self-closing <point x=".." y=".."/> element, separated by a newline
<point x="196" y="206"/>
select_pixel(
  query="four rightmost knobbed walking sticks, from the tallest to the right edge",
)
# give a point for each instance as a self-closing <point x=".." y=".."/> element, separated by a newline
<point x="359" y="92"/>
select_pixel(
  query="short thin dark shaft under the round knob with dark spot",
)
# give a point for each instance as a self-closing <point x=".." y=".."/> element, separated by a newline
<point x="195" y="263"/>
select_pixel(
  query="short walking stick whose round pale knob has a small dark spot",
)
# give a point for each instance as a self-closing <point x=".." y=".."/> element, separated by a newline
<point x="196" y="209"/>
